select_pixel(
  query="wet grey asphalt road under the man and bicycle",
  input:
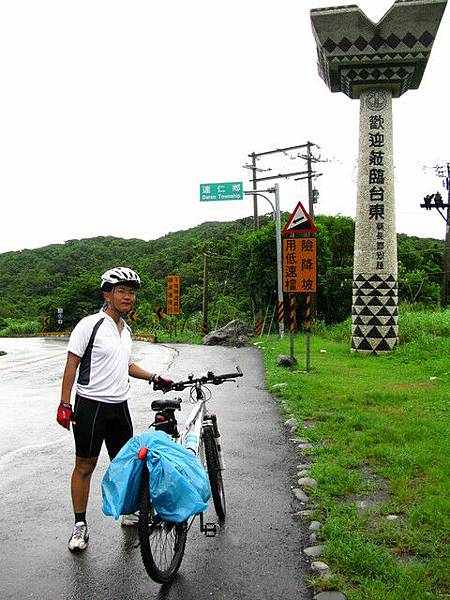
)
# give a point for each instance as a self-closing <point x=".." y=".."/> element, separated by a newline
<point x="256" y="556"/>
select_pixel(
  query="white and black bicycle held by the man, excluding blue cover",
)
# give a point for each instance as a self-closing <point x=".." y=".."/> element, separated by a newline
<point x="162" y="543"/>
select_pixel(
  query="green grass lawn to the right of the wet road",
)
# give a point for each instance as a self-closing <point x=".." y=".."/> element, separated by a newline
<point x="379" y="427"/>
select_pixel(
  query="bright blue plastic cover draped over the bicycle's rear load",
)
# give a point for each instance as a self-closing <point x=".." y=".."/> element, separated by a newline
<point x="179" y="485"/>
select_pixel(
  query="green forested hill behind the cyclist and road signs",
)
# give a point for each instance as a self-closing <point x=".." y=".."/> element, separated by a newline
<point x="242" y="275"/>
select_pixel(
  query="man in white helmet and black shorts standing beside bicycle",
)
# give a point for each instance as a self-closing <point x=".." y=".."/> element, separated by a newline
<point x="100" y="345"/>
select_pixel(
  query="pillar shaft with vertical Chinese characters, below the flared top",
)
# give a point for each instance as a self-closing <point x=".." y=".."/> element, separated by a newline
<point x="375" y="294"/>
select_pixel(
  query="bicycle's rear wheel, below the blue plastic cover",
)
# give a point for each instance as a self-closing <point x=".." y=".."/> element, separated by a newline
<point x="162" y="543"/>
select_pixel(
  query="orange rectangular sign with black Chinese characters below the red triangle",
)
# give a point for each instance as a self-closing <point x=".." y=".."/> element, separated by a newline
<point x="299" y="265"/>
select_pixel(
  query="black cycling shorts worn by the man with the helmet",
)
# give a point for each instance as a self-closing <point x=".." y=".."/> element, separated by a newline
<point x="95" y="422"/>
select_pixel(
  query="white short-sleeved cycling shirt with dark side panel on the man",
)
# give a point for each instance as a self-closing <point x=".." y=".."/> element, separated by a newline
<point x="103" y="371"/>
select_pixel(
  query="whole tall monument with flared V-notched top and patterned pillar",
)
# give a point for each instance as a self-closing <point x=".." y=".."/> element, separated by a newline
<point x="375" y="62"/>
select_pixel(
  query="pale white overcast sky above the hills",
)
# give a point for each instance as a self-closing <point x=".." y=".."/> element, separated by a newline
<point x="113" y="113"/>
